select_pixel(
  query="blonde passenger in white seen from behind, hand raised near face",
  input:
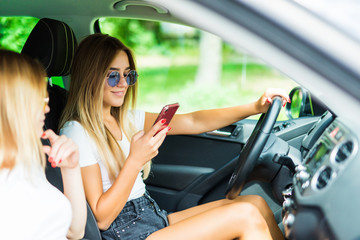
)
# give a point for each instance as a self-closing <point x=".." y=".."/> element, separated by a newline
<point x="30" y="207"/>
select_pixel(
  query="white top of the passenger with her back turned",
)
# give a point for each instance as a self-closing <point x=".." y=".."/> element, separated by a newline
<point x="32" y="208"/>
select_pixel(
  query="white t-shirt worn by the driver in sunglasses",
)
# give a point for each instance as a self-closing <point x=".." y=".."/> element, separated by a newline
<point x="89" y="154"/>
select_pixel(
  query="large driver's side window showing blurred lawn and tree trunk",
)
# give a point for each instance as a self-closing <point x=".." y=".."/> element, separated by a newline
<point x="197" y="69"/>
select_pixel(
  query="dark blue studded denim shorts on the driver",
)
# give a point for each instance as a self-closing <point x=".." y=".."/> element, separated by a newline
<point x="139" y="218"/>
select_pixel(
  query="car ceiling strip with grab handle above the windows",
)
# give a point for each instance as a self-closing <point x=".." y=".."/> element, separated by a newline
<point x="67" y="10"/>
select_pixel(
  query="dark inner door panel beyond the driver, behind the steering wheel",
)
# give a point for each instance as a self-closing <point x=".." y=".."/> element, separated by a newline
<point x="191" y="169"/>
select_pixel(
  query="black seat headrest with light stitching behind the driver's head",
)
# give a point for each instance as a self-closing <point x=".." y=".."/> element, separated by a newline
<point x="53" y="43"/>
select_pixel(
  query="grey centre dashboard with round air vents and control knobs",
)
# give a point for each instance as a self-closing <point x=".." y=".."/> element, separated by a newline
<point x="322" y="202"/>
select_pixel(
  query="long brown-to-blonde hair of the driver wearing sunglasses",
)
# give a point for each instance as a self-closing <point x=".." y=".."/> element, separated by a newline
<point x="85" y="101"/>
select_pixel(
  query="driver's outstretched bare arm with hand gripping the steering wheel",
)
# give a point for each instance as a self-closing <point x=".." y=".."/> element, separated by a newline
<point x="208" y="120"/>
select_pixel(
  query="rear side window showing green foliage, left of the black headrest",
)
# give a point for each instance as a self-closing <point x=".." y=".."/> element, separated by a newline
<point x="13" y="34"/>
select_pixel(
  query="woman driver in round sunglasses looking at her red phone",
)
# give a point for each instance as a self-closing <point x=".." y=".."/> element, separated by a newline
<point x="117" y="143"/>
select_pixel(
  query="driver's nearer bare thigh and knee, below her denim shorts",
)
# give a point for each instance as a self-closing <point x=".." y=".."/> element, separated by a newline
<point x="239" y="220"/>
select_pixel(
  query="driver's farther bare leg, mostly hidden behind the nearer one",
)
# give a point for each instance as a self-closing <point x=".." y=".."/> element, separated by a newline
<point x="255" y="200"/>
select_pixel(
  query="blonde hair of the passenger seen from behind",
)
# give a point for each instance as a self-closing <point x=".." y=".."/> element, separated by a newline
<point x="22" y="93"/>
